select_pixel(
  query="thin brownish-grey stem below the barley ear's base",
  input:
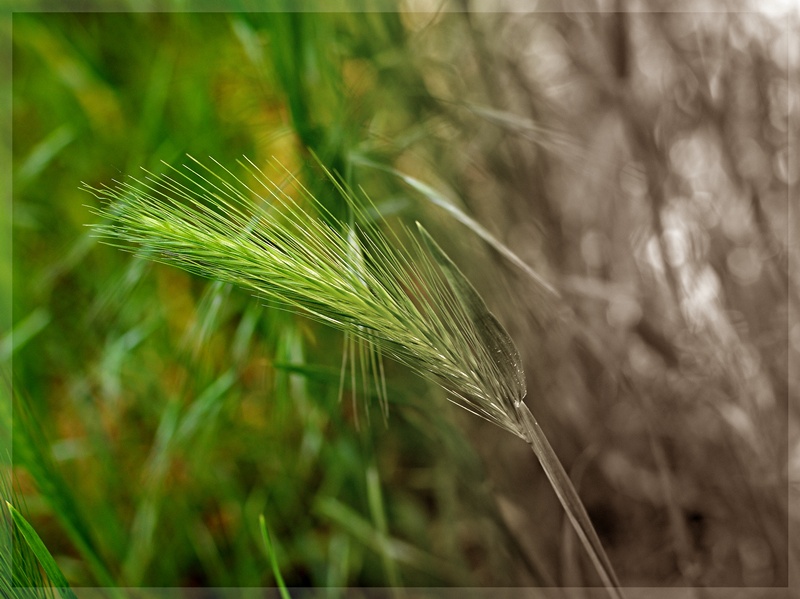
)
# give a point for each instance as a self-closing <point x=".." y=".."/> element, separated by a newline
<point x="569" y="498"/>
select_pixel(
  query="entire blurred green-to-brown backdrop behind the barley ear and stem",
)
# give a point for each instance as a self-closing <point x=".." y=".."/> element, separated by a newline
<point x="642" y="162"/>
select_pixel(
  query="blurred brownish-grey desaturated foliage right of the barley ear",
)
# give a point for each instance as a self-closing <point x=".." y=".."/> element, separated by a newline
<point x="646" y="161"/>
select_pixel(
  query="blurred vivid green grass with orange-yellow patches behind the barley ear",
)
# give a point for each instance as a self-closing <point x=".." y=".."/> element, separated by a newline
<point x="166" y="413"/>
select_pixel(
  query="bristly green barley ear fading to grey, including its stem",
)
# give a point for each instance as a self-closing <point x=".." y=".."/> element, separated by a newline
<point x="402" y="297"/>
